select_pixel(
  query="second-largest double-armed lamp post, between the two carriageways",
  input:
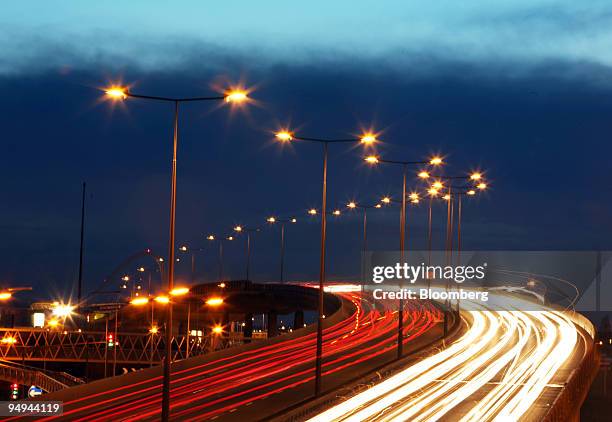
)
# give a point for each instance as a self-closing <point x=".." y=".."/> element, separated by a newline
<point x="285" y="137"/>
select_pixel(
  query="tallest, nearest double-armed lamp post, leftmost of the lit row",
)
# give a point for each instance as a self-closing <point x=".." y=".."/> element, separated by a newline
<point x="120" y="93"/>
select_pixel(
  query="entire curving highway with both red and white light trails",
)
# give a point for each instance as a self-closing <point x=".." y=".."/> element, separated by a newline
<point x="522" y="365"/>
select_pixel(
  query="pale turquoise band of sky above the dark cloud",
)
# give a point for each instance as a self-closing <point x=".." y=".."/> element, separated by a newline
<point x="156" y="34"/>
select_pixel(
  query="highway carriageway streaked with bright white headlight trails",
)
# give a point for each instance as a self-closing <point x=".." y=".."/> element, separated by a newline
<point x="509" y="364"/>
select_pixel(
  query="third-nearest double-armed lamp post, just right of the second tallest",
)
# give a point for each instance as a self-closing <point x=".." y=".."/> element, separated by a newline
<point x="435" y="161"/>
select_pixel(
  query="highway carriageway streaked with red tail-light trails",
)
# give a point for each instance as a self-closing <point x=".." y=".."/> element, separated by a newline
<point x="217" y="388"/>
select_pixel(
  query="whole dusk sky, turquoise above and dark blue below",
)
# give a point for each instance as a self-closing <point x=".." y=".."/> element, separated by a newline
<point x="520" y="89"/>
